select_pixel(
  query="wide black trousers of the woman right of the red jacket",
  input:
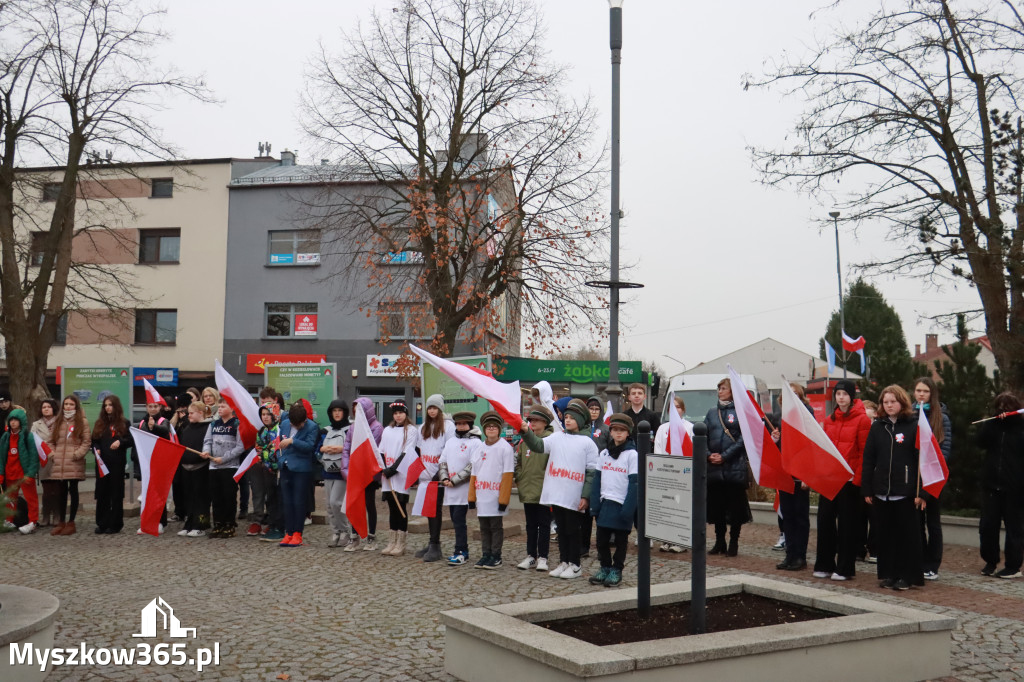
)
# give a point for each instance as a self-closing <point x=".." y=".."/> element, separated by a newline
<point x="899" y="534"/>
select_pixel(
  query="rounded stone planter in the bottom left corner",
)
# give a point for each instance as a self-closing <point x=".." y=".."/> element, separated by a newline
<point x="27" y="617"/>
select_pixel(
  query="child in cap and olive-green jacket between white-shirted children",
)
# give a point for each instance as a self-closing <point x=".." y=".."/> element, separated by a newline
<point x="530" y="468"/>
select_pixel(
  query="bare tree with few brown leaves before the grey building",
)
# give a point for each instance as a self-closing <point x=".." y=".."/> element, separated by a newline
<point x="478" y="189"/>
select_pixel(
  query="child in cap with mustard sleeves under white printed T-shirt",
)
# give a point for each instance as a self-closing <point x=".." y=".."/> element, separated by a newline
<point x="491" y="489"/>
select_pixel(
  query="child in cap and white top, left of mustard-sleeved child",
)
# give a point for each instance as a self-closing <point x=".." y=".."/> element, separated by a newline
<point x="455" y="468"/>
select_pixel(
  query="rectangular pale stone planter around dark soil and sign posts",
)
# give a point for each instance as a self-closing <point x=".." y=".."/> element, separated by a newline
<point x="869" y="641"/>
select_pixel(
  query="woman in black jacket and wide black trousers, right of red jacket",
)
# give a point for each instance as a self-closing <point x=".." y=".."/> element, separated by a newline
<point x="891" y="486"/>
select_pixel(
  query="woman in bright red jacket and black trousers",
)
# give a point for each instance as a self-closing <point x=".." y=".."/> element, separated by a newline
<point x="838" y="526"/>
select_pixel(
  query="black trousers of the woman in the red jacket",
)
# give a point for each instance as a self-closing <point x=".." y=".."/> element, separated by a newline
<point x="840" y="532"/>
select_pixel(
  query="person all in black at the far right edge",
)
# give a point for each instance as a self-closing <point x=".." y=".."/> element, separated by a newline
<point x="1003" y="488"/>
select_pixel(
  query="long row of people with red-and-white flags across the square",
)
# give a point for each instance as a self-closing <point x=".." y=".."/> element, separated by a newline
<point x="573" y="471"/>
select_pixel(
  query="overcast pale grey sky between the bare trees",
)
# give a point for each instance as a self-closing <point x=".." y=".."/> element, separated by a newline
<point x="726" y="262"/>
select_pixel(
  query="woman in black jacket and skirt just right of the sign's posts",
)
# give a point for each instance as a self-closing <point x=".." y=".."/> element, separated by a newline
<point x="728" y="467"/>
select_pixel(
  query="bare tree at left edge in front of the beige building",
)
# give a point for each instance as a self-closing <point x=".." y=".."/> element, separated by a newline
<point x="75" y="76"/>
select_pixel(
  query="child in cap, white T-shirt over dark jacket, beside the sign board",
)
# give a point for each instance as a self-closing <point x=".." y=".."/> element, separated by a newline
<point x="614" y="500"/>
